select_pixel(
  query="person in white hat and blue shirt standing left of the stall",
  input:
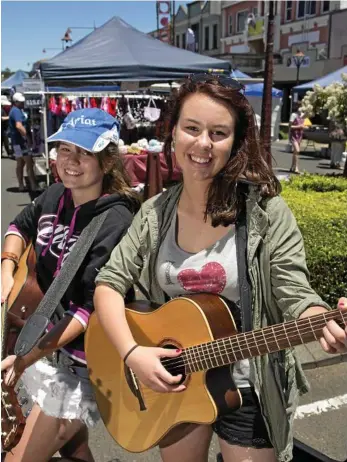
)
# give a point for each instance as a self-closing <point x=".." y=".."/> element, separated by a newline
<point x="22" y="153"/>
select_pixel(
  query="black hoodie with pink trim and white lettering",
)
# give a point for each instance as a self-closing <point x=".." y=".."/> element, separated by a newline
<point x="54" y="224"/>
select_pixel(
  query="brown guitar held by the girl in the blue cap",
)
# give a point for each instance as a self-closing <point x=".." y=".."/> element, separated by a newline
<point x="22" y="302"/>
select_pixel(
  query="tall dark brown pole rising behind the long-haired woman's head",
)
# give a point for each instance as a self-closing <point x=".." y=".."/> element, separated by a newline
<point x="266" y="110"/>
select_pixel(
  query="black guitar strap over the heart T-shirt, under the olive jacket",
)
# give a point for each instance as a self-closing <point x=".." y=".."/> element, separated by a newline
<point x="244" y="283"/>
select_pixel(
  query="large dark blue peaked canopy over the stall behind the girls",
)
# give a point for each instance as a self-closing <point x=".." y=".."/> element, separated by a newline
<point x="117" y="51"/>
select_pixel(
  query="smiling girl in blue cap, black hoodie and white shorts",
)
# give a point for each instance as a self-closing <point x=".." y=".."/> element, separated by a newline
<point x="93" y="180"/>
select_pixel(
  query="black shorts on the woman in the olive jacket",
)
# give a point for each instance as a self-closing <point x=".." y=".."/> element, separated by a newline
<point x="245" y="426"/>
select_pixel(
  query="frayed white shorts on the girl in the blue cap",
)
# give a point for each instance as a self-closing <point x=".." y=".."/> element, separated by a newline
<point x="60" y="392"/>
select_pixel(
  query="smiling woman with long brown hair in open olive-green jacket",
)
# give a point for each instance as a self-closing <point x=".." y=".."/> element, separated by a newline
<point x="183" y="242"/>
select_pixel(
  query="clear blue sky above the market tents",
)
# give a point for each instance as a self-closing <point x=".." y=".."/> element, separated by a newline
<point x="28" y="26"/>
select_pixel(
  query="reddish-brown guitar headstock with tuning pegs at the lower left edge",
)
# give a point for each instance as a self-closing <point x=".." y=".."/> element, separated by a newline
<point x="12" y="418"/>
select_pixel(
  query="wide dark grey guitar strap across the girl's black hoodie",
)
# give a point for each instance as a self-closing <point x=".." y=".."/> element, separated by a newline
<point x="37" y="323"/>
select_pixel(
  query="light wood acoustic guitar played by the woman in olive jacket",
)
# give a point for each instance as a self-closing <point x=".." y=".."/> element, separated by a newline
<point x="204" y="328"/>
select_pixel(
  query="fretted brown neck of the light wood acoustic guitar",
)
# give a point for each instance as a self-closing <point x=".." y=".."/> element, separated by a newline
<point x="270" y="339"/>
